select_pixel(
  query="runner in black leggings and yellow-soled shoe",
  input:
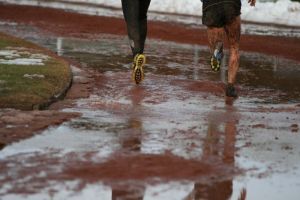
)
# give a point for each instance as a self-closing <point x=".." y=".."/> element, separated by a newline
<point x="135" y="14"/>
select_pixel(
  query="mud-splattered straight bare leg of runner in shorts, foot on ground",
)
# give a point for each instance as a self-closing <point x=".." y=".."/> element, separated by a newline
<point x="233" y="32"/>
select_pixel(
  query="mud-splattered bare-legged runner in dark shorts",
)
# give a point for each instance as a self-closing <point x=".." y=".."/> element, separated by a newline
<point x="220" y="16"/>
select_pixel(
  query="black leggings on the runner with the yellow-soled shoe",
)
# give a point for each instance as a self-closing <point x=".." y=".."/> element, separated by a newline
<point x="135" y="14"/>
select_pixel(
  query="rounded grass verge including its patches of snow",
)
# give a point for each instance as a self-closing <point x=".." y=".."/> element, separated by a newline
<point x="31" y="77"/>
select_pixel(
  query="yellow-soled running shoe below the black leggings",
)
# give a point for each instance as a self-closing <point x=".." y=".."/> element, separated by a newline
<point x="137" y="68"/>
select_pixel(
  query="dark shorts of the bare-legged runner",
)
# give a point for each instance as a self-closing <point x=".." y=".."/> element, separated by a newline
<point x="218" y="13"/>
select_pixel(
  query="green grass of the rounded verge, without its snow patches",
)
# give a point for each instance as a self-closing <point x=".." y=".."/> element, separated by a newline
<point x="17" y="91"/>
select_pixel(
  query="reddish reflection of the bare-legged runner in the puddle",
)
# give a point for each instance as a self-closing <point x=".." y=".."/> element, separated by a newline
<point x="219" y="146"/>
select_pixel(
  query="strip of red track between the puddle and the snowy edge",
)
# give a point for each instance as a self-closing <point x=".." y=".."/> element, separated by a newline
<point x="72" y="24"/>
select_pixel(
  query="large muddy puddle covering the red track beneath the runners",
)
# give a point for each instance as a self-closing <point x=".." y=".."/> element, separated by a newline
<point x="172" y="137"/>
